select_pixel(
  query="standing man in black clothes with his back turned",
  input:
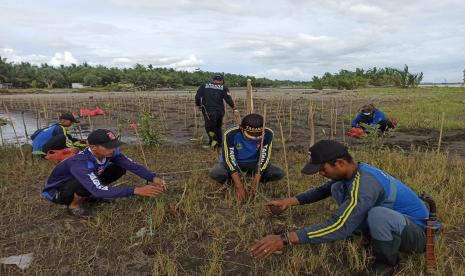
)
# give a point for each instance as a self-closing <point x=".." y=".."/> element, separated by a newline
<point x="209" y="99"/>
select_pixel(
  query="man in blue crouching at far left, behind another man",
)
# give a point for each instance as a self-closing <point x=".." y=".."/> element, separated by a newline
<point x="56" y="136"/>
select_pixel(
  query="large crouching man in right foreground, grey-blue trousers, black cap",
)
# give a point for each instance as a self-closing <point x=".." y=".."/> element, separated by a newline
<point x="370" y="201"/>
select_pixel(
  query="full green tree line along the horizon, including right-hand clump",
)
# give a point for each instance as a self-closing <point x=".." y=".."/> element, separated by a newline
<point x="27" y="75"/>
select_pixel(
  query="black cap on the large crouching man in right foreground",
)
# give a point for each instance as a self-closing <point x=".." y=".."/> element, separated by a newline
<point x="320" y="153"/>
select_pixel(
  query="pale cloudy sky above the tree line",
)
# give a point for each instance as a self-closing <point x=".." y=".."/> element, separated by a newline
<point x="279" y="39"/>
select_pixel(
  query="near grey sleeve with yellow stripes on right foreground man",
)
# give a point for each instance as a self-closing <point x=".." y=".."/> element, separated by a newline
<point x="359" y="199"/>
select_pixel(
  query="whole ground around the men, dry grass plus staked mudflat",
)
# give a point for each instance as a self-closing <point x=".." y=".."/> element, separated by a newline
<point x="205" y="232"/>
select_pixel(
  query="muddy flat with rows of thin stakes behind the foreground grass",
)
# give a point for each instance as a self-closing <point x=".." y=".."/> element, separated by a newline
<point x="174" y="112"/>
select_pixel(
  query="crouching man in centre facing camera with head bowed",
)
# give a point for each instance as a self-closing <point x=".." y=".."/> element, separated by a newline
<point x="241" y="153"/>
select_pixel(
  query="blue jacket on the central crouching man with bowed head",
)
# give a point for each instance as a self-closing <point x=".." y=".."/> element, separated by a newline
<point x="239" y="150"/>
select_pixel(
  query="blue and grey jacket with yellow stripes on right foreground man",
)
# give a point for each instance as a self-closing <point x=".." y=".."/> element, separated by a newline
<point x="368" y="188"/>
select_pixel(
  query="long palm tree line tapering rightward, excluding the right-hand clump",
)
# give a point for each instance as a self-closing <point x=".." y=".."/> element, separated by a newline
<point x="27" y="75"/>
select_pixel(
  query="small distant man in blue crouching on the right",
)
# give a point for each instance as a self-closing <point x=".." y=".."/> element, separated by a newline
<point x="372" y="116"/>
